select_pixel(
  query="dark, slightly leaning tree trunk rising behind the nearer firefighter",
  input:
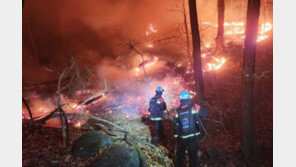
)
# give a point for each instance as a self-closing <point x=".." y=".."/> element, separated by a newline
<point x="196" y="52"/>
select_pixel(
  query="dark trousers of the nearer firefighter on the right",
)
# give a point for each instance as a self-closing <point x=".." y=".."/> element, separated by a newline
<point x="192" y="144"/>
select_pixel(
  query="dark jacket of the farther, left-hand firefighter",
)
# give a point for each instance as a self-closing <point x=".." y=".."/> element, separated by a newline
<point x="156" y="108"/>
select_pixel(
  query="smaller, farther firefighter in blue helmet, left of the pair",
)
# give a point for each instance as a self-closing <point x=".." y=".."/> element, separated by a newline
<point x="156" y="108"/>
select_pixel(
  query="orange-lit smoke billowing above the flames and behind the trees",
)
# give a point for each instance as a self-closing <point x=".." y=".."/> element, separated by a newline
<point x="96" y="33"/>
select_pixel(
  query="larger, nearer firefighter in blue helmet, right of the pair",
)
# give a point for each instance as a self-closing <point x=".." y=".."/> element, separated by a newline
<point x="186" y="129"/>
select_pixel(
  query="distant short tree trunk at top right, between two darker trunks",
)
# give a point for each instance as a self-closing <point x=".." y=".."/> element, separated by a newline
<point x="220" y="35"/>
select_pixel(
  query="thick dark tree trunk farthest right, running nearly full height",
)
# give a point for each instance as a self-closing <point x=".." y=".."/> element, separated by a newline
<point x="248" y="130"/>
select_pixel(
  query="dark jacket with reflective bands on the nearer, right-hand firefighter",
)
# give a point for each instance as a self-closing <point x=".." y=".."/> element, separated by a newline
<point x="186" y="123"/>
